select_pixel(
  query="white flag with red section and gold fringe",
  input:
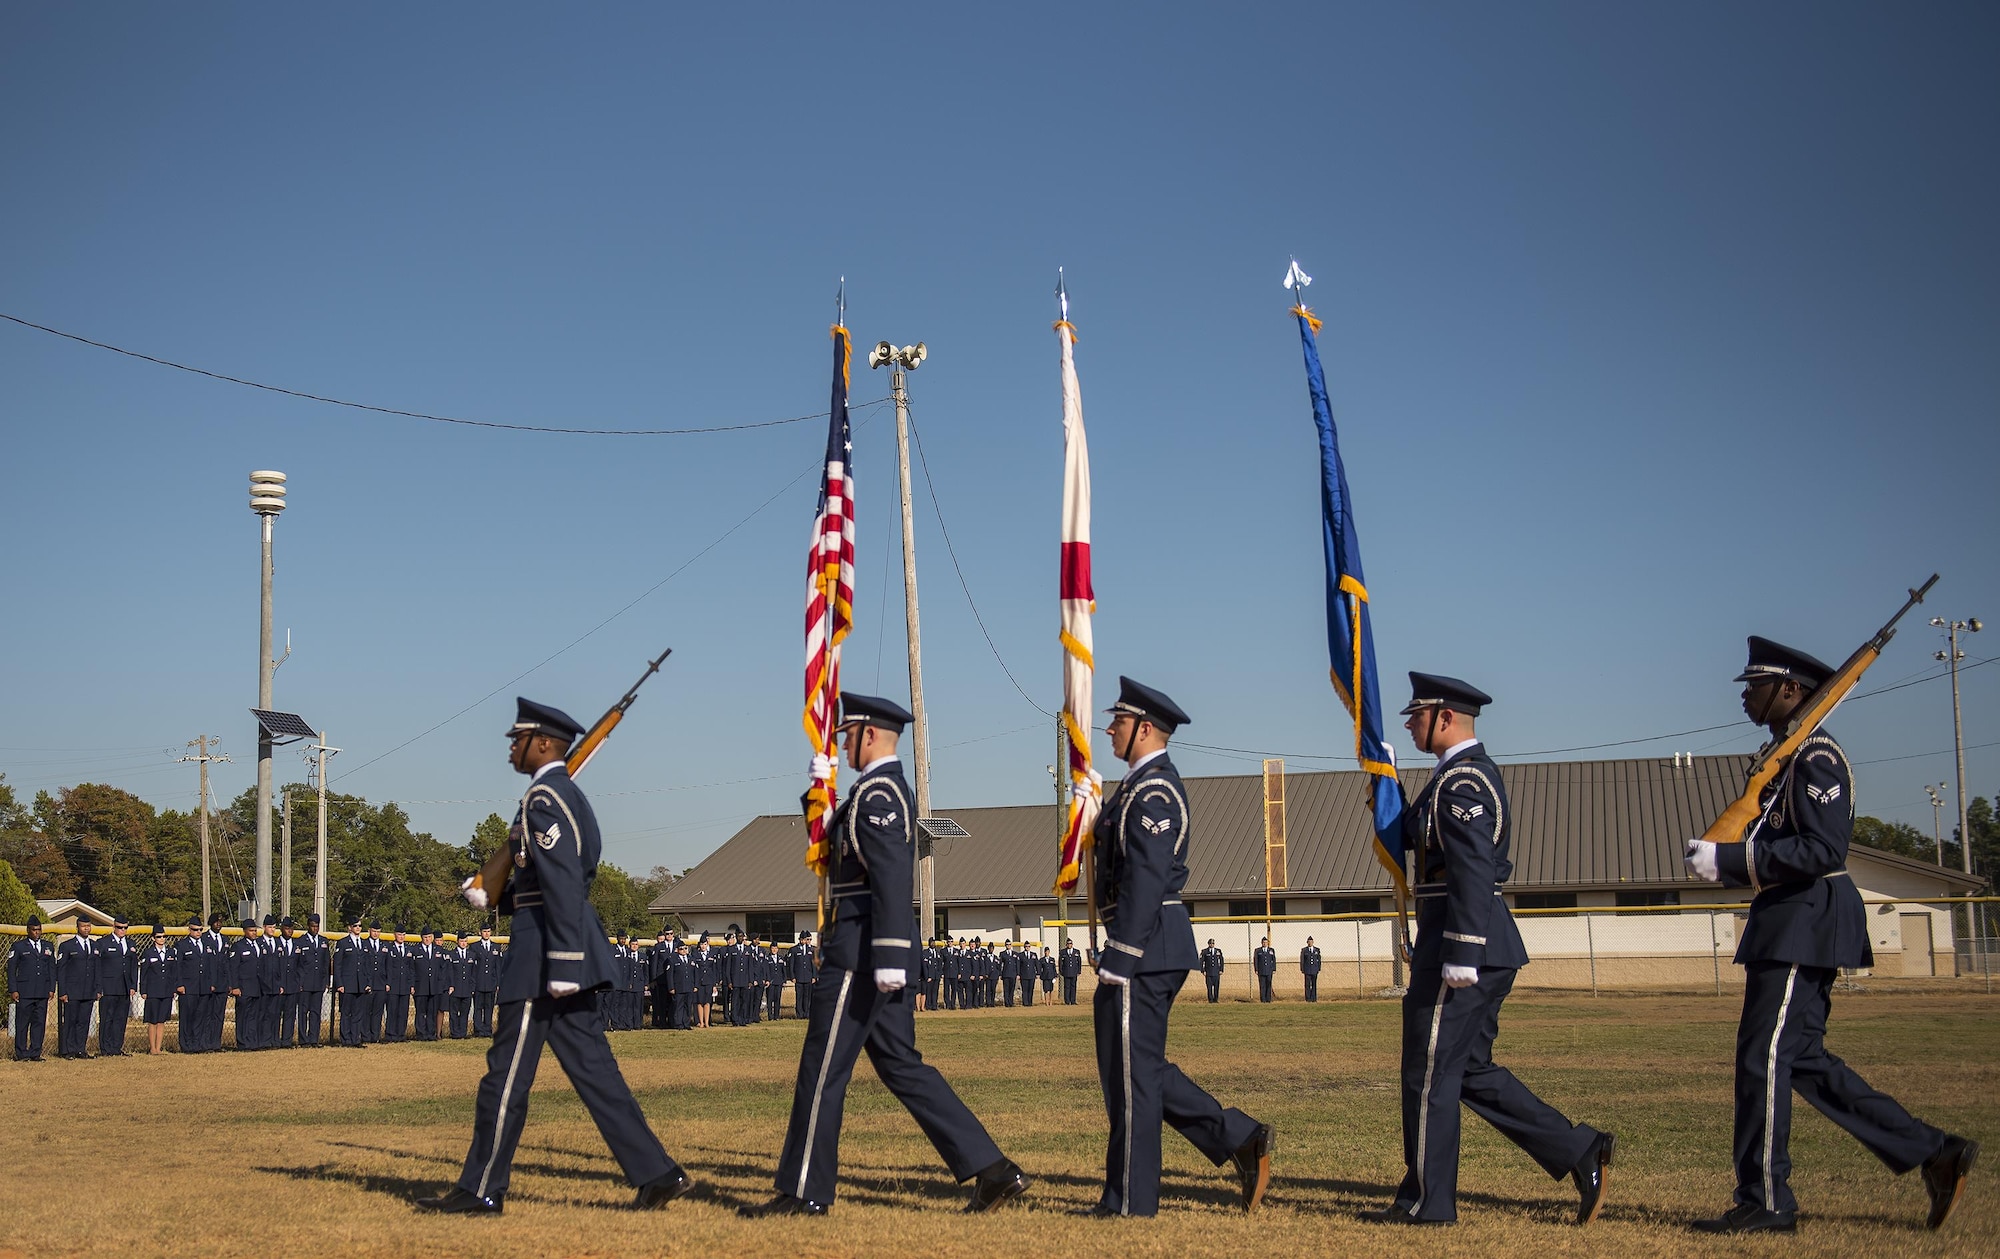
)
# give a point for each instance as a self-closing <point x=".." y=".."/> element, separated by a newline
<point x="1079" y="603"/>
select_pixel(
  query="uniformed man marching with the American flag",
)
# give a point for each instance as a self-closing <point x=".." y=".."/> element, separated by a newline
<point x="863" y="998"/>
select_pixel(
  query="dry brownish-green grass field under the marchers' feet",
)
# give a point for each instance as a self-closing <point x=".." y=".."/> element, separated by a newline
<point x="321" y="1152"/>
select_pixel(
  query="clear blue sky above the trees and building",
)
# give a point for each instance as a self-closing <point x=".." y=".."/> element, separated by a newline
<point x="1647" y="331"/>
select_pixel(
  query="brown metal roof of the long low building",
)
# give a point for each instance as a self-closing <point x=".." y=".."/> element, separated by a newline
<point x="1577" y="824"/>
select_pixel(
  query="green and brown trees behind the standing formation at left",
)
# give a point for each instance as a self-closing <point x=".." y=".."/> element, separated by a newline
<point x="119" y="854"/>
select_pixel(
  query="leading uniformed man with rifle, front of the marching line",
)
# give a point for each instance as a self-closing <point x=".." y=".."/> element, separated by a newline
<point x="557" y="970"/>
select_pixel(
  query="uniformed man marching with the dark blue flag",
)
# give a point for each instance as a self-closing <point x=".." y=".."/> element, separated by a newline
<point x="1463" y="968"/>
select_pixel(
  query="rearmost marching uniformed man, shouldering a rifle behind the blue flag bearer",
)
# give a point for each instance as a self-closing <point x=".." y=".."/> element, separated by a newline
<point x="1807" y="922"/>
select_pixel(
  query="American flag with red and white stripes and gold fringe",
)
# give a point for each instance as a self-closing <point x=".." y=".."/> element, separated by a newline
<point x="829" y="601"/>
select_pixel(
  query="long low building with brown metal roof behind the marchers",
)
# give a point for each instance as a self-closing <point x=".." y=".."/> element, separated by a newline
<point x="1585" y="836"/>
